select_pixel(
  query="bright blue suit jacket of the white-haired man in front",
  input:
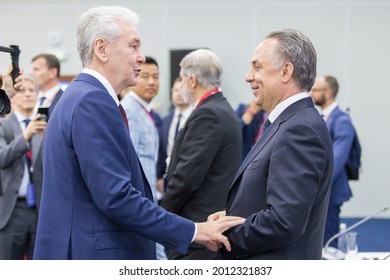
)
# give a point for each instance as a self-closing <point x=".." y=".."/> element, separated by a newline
<point x="96" y="202"/>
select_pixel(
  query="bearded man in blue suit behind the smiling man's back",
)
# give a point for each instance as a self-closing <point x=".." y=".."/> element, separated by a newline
<point x="342" y="133"/>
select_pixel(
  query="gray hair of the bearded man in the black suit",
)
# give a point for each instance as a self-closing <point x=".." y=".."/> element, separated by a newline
<point x="204" y="65"/>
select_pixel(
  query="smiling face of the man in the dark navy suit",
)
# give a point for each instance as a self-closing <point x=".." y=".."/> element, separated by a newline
<point x="264" y="79"/>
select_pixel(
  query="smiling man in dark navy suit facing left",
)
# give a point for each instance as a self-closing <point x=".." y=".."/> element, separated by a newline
<point x="282" y="187"/>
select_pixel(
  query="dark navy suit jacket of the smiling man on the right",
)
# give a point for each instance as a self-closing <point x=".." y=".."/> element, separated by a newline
<point x="282" y="189"/>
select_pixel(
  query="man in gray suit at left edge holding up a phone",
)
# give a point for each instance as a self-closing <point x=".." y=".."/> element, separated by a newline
<point x="19" y="172"/>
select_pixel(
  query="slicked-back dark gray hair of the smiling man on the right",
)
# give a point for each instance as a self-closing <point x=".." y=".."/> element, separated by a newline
<point x="294" y="47"/>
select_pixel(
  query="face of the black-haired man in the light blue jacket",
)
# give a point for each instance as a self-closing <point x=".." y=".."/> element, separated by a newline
<point x="147" y="83"/>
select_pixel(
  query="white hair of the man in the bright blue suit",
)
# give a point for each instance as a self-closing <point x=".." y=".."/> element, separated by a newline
<point x="100" y="22"/>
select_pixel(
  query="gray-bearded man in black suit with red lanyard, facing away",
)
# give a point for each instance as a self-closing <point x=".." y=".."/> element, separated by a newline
<point x="207" y="151"/>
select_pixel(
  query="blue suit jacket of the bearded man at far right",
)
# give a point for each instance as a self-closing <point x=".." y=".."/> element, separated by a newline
<point x="342" y="134"/>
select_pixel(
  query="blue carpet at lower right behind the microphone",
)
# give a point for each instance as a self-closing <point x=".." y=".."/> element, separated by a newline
<point x="373" y="235"/>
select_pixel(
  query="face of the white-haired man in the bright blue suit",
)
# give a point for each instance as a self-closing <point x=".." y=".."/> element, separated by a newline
<point x="123" y="59"/>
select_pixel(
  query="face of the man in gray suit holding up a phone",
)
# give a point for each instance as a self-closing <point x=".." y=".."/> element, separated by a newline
<point x="25" y="100"/>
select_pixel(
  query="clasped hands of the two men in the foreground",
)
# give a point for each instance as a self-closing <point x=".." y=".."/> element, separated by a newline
<point x="210" y="234"/>
